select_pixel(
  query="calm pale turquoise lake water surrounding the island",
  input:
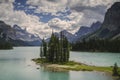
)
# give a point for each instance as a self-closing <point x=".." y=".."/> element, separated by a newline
<point x="16" y="64"/>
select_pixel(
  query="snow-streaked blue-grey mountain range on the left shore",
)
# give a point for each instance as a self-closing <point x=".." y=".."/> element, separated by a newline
<point x="17" y="36"/>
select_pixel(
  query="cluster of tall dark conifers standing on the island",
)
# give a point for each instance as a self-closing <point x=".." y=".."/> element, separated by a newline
<point x="56" y="50"/>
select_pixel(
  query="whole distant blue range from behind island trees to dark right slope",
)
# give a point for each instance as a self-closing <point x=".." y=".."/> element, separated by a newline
<point x="83" y="31"/>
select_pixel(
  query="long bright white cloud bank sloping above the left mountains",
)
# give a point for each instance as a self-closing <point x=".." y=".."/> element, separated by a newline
<point x="30" y="22"/>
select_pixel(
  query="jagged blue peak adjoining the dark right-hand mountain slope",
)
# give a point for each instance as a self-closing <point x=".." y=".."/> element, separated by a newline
<point x="84" y="30"/>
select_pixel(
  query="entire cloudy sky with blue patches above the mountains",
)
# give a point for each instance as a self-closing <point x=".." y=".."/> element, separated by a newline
<point x="39" y="17"/>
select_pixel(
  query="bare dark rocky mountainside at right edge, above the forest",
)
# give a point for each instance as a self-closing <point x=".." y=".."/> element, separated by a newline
<point x="110" y="28"/>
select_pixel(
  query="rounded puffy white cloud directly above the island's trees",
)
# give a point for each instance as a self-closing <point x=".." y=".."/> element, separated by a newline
<point x="57" y="25"/>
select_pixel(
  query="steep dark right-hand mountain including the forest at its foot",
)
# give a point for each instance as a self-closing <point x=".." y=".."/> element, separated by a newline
<point x="105" y="39"/>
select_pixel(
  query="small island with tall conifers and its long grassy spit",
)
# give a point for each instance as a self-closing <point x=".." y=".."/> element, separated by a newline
<point x="54" y="56"/>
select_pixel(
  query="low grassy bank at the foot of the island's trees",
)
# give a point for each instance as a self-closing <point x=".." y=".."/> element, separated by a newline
<point x="71" y="65"/>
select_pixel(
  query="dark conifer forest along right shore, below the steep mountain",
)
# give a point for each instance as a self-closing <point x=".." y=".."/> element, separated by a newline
<point x="97" y="45"/>
